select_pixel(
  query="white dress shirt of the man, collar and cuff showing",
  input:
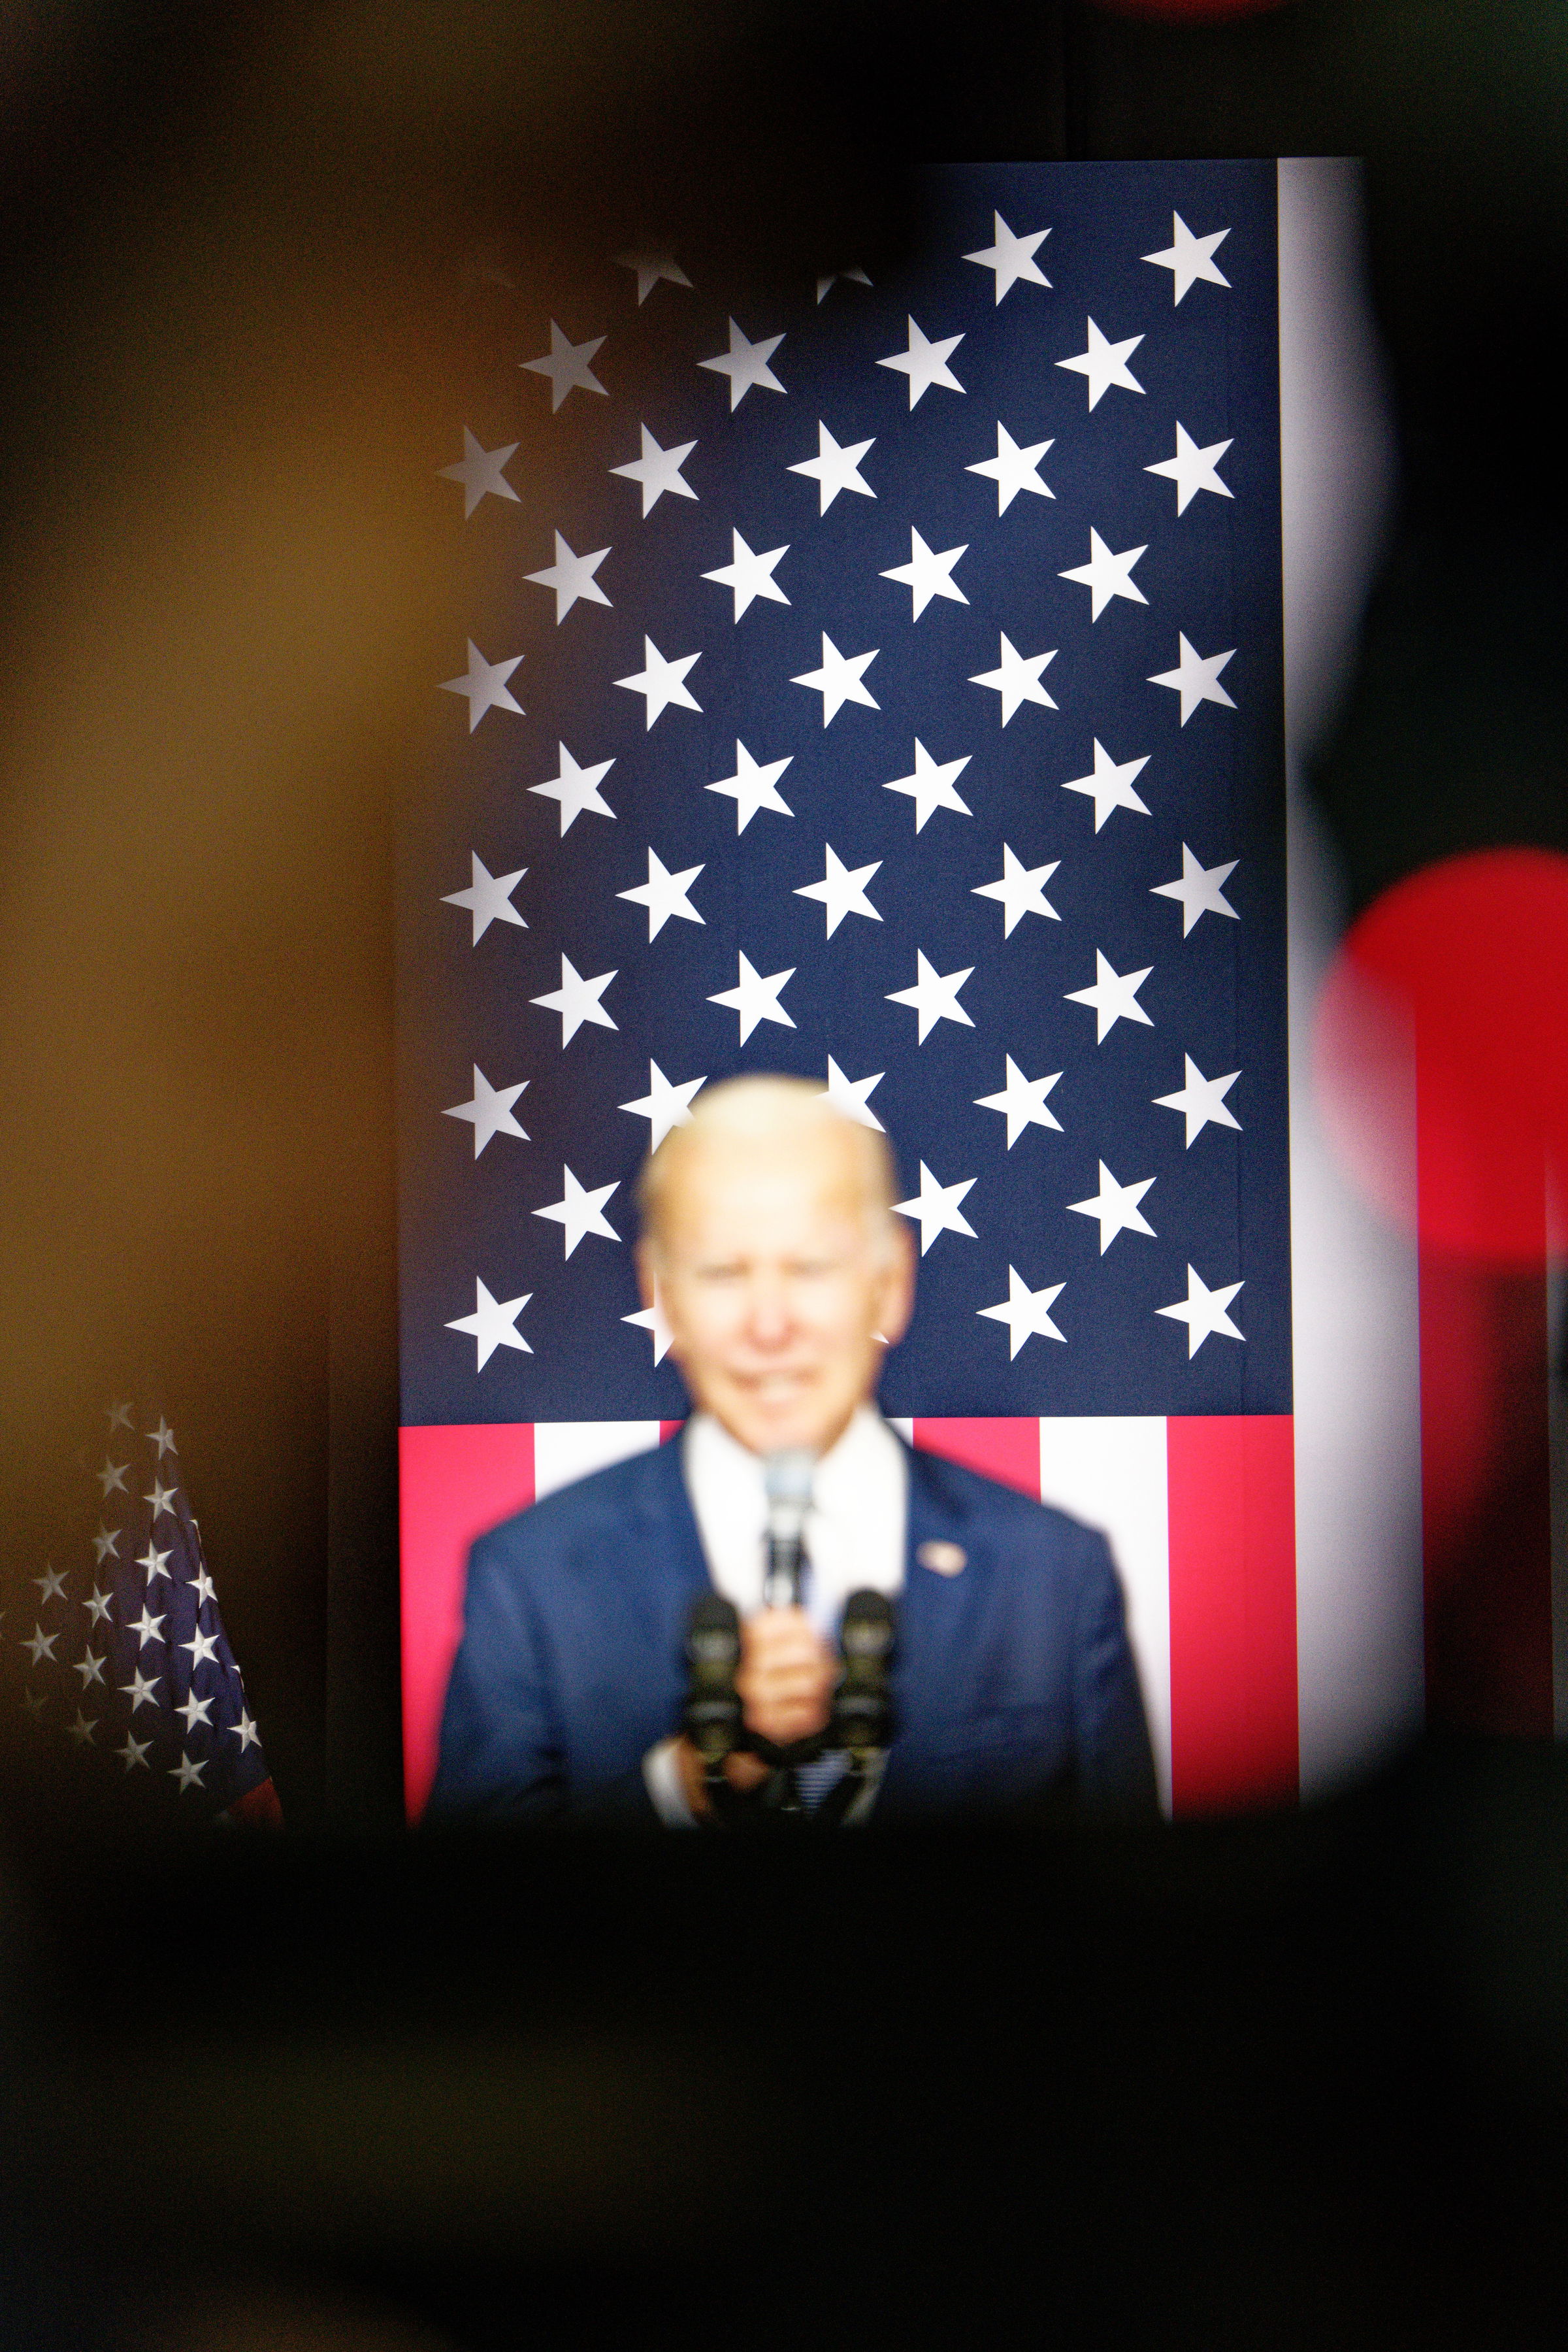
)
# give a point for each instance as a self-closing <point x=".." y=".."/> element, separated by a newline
<point x="855" y="1539"/>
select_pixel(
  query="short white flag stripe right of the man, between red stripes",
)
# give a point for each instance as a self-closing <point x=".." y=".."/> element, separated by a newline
<point x="1111" y="1474"/>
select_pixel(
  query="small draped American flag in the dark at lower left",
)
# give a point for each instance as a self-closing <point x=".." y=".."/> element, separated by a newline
<point x="126" y="1648"/>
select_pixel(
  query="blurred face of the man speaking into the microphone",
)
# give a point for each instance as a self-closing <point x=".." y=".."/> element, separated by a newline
<point x="777" y="1274"/>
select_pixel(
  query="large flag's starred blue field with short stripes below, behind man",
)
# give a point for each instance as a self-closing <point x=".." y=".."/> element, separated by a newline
<point x="894" y="695"/>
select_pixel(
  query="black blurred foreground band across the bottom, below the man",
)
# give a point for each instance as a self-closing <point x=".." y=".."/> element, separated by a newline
<point x="1296" y="2083"/>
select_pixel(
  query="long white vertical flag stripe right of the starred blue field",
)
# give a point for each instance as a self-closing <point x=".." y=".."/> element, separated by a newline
<point x="1355" y="1307"/>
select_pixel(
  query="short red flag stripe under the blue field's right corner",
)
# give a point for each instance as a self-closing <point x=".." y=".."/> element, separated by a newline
<point x="1233" y="1612"/>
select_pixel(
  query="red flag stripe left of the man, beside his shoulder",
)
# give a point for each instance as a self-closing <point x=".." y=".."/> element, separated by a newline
<point x="455" y="1485"/>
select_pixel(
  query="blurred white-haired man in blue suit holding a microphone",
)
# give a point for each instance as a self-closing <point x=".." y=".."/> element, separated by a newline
<point x="777" y="1262"/>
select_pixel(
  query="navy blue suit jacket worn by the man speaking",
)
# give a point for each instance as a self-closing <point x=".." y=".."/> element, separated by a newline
<point x="1012" y="1678"/>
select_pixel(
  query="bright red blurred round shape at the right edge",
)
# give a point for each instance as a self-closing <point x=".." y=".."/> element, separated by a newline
<point x="1456" y="982"/>
